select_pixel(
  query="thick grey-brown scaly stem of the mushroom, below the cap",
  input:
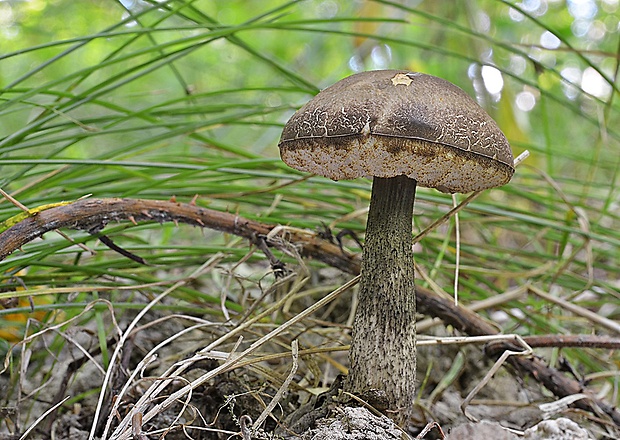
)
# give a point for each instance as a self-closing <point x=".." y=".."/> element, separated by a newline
<point x="383" y="348"/>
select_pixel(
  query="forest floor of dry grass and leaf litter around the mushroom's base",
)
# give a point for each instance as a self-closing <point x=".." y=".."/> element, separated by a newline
<point x="228" y="404"/>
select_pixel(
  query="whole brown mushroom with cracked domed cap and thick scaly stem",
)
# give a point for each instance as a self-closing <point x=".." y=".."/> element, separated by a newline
<point x="403" y="129"/>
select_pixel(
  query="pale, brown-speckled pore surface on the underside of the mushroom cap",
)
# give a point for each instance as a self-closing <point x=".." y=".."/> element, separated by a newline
<point x="431" y="165"/>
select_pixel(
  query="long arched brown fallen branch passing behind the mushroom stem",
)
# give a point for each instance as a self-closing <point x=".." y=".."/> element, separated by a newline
<point x="93" y="215"/>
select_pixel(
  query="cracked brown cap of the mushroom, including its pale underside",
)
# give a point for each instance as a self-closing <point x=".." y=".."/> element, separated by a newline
<point x="387" y="123"/>
